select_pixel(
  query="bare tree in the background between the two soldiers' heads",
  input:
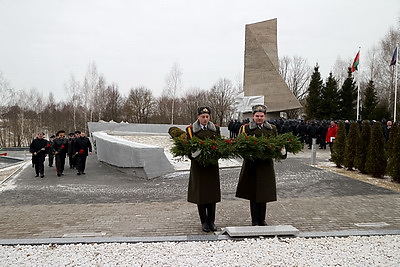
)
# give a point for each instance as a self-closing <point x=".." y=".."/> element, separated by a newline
<point x="221" y="99"/>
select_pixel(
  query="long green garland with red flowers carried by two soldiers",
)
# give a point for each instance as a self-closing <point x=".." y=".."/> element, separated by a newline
<point x="208" y="151"/>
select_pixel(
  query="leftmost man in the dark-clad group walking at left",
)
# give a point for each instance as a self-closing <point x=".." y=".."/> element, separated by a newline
<point x="39" y="149"/>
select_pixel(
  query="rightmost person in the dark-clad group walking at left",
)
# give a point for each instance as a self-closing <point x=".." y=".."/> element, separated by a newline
<point x="82" y="148"/>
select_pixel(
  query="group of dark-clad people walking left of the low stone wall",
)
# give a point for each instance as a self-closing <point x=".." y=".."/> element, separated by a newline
<point x="77" y="147"/>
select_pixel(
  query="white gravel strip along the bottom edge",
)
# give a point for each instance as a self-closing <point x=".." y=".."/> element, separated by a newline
<point x="350" y="251"/>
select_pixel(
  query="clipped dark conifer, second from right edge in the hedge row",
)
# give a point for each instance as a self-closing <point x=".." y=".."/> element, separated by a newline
<point x="376" y="157"/>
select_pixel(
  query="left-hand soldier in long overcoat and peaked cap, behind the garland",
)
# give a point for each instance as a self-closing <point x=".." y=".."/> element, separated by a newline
<point x="204" y="183"/>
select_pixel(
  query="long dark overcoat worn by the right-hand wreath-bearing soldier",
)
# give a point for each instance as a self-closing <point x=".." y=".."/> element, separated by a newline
<point x="257" y="178"/>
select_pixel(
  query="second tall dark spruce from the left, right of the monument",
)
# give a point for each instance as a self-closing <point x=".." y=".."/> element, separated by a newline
<point x="330" y="98"/>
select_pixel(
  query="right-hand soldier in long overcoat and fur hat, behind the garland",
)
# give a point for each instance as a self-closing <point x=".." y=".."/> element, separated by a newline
<point x="257" y="177"/>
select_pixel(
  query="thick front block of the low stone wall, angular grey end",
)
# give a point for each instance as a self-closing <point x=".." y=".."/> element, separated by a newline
<point x="141" y="160"/>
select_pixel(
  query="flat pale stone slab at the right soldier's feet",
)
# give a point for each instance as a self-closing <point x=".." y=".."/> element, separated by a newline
<point x="248" y="231"/>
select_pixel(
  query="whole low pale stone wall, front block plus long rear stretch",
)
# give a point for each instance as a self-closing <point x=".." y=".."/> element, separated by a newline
<point x="140" y="160"/>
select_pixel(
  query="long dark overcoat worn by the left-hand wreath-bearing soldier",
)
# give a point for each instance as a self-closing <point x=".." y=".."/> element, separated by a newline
<point x="204" y="183"/>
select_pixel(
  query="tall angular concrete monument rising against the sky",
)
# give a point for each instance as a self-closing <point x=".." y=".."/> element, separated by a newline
<point x="261" y="69"/>
